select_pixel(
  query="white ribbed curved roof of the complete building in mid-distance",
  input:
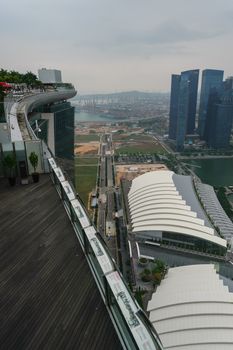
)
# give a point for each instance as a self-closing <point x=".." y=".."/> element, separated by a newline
<point x="157" y="202"/>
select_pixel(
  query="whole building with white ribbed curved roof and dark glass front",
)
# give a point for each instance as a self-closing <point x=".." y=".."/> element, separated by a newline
<point x="164" y="209"/>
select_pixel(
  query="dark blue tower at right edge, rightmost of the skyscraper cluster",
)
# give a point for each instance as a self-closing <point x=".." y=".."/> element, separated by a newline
<point x="219" y="118"/>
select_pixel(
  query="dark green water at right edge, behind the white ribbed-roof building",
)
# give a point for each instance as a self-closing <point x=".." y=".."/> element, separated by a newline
<point x="215" y="172"/>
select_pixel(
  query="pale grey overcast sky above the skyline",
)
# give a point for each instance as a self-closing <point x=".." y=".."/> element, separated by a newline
<point x="116" y="45"/>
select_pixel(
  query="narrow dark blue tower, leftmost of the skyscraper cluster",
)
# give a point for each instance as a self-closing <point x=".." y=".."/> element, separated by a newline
<point x="175" y="87"/>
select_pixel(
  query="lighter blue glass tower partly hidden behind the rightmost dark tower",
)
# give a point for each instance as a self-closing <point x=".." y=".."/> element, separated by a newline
<point x="211" y="78"/>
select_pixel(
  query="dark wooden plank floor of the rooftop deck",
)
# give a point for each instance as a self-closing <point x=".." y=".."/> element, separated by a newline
<point x="48" y="298"/>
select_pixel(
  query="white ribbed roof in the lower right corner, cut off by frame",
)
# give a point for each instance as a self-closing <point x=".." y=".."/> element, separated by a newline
<point x="193" y="310"/>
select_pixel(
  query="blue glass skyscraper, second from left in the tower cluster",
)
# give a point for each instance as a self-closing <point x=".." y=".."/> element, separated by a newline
<point x="192" y="77"/>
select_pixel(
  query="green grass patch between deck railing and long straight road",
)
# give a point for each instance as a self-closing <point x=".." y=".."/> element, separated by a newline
<point x="85" y="176"/>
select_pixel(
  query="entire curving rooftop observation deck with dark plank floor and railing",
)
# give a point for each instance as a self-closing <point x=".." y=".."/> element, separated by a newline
<point x="59" y="291"/>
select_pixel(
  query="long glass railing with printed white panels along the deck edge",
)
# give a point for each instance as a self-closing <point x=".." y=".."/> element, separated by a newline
<point x="131" y="324"/>
